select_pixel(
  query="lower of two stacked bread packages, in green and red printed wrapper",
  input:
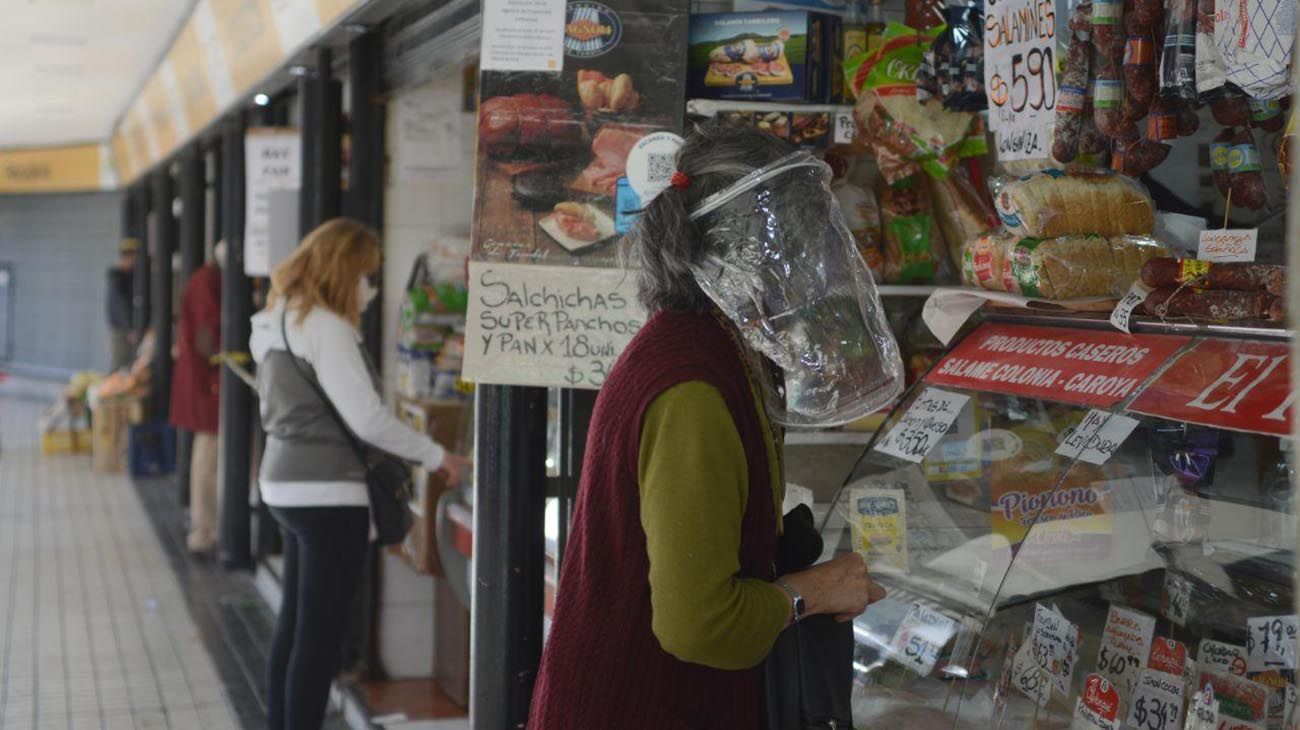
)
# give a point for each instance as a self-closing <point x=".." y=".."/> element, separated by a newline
<point x="1080" y="266"/>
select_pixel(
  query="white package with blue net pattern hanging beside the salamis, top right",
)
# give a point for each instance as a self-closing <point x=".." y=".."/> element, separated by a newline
<point x="1256" y="44"/>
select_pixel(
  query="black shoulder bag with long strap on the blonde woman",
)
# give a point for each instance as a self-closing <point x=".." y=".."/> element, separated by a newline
<point x="388" y="479"/>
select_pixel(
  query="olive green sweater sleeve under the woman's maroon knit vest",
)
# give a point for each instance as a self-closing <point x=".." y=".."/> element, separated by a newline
<point x="695" y="485"/>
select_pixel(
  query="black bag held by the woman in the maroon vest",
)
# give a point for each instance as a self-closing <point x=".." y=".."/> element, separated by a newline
<point x="809" y="673"/>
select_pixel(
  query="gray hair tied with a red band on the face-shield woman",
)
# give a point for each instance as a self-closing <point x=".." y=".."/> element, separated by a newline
<point x="666" y="242"/>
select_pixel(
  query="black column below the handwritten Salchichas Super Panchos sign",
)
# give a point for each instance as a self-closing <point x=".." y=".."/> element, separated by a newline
<point x="510" y="506"/>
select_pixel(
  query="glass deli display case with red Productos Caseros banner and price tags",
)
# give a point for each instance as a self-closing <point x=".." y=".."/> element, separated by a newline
<point x="1081" y="529"/>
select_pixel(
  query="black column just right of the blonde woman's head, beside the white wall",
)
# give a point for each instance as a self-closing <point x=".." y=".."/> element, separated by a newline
<point x="365" y="199"/>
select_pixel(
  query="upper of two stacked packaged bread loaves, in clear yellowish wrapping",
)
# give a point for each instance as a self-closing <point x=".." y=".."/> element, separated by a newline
<point x="1055" y="203"/>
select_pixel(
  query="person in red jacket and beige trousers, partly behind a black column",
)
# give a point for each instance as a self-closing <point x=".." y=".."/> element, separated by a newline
<point x="196" y="389"/>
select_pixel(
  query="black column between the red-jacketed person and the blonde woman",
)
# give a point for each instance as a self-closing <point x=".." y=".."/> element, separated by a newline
<point x="236" y="538"/>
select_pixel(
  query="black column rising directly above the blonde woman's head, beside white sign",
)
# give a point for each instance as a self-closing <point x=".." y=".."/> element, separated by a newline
<point x="322" y="98"/>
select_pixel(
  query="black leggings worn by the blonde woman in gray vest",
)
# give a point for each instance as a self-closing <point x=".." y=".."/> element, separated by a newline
<point x="324" y="554"/>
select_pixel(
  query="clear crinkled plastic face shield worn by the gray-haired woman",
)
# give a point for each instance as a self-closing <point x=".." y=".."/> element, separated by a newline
<point x="785" y="268"/>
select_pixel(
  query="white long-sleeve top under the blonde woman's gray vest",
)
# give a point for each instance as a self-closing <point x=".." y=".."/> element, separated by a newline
<point x="332" y="346"/>
